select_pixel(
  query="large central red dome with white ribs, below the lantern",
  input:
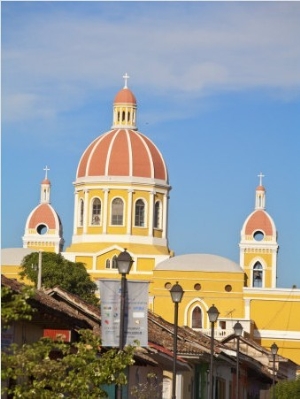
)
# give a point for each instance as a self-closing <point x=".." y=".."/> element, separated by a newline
<point x="122" y="152"/>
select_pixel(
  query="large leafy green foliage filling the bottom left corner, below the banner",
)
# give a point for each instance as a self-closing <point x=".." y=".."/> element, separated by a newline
<point x="48" y="369"/>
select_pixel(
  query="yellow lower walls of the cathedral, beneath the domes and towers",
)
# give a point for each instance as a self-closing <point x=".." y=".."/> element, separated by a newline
<point x="273" y="310"/>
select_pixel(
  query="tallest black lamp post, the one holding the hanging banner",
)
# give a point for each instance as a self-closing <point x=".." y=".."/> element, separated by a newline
<point x="124" y="263"/>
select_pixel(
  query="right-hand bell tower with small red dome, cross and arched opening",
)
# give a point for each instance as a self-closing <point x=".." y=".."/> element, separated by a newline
<point x="258" y="244"/>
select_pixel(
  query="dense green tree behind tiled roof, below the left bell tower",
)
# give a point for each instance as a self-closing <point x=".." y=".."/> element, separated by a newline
<point x="58" y="271"/>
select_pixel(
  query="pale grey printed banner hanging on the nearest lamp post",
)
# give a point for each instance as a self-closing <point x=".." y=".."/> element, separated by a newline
<point x="136" y="312"/>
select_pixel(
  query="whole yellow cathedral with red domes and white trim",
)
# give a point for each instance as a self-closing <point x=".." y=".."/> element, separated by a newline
<point x="121" y="200"/>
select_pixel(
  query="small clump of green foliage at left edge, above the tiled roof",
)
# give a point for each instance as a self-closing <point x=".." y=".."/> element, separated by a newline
<point x="14" y="305"/>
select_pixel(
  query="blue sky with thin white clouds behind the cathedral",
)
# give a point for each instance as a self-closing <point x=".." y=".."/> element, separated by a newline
<point x="218" y="91"/>
